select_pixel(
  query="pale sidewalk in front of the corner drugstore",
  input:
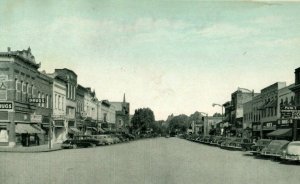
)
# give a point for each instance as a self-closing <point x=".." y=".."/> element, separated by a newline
<point x="32" y="149"/>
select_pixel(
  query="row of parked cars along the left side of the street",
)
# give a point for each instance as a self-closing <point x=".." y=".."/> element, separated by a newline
<point x="84" y="141"/>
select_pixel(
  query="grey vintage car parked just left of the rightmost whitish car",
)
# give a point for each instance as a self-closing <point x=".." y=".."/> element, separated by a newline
<point x="275" y="148"/>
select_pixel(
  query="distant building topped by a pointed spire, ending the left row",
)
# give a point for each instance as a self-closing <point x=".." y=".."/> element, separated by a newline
<point x="122" y="114"/>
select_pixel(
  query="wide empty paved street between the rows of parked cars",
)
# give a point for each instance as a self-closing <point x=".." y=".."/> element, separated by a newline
<point x="151" y="161"/>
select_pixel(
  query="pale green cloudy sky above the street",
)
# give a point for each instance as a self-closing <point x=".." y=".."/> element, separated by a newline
<point x="171" y="56"/>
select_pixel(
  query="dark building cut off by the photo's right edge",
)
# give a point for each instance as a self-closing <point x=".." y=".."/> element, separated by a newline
<point x="296" y="119"/>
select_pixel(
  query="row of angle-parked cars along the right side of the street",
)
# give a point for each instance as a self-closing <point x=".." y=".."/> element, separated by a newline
<point x="278" y="149"/>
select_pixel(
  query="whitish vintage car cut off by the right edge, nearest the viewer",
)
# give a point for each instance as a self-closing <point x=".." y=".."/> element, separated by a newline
<point x="292" y="151"/>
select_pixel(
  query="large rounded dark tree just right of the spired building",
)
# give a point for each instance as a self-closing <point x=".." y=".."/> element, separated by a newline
<point x="142" y="119"/>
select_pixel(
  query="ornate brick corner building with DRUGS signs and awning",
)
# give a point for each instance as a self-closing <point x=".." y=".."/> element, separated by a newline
<point x="22" y="107"/>
